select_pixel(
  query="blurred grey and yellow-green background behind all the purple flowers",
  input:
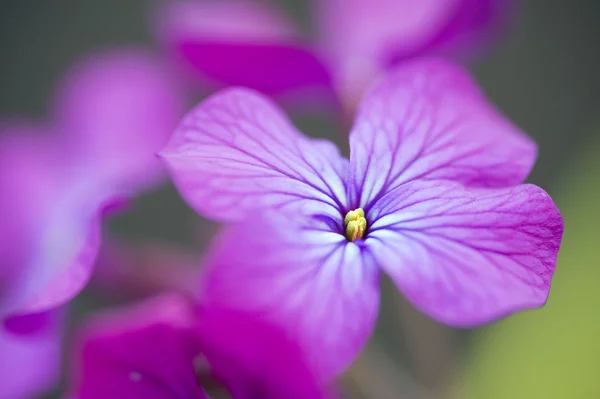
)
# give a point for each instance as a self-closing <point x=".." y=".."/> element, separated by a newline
<point x="544" y="74"/>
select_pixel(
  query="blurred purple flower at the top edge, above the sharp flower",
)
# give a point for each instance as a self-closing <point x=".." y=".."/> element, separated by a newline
<point x="252" y="44"/>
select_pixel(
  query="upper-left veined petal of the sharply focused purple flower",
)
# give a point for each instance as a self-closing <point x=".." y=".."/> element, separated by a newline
<point x="237" y="153"/>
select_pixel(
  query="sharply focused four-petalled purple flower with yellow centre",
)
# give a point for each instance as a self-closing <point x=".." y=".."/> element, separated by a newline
<point x="431" y="196"/>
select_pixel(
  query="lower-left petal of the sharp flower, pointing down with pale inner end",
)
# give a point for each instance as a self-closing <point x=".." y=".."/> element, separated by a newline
<point x="311" y="282"/>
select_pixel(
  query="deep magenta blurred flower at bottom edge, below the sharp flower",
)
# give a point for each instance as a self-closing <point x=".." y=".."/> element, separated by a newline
<point x="164" y="348"/>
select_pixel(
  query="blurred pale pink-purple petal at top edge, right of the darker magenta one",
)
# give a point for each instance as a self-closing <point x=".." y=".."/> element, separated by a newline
<point x="359" y="36"/>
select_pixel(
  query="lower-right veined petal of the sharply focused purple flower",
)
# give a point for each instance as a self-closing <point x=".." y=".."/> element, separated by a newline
<point x="466" y="256"/>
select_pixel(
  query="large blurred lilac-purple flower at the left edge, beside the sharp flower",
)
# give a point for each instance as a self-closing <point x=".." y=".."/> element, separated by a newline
<point x="113" y="112"/>
